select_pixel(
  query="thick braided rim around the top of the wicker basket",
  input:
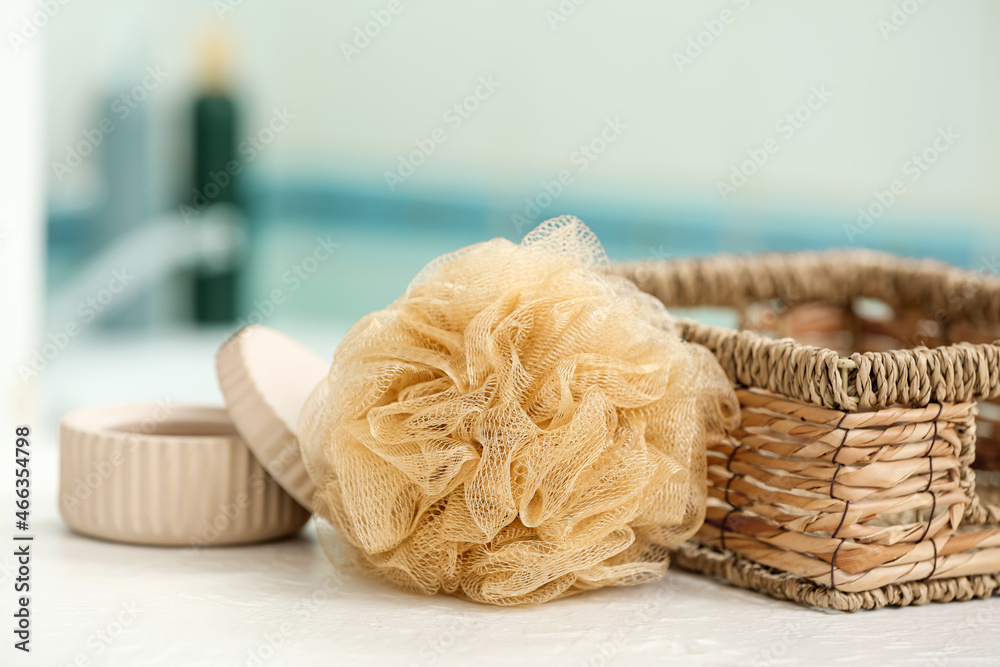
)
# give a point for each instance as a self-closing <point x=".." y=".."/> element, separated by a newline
<point x="956" y="372"/>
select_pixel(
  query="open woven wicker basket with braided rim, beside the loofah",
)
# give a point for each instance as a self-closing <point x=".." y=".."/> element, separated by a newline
<point x="852" y="480"/>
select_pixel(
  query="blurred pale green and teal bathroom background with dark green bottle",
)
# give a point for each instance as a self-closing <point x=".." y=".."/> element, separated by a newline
<point x="203" y="164"/>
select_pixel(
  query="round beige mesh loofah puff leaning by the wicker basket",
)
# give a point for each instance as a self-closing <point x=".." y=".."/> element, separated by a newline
<point x="517" y="427"/>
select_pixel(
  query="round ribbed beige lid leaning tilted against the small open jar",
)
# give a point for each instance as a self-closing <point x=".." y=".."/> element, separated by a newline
<point x="265" y="377"/>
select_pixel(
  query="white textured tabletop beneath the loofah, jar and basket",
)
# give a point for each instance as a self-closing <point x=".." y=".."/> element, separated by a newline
<point x="99" y="603"/>
